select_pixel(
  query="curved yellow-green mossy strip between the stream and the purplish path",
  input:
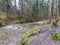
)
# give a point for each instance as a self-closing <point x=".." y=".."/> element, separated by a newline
<point x="29" y="33"/>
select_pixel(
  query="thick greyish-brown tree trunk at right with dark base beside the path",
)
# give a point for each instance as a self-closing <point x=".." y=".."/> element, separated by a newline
<point x="55" y="12"/>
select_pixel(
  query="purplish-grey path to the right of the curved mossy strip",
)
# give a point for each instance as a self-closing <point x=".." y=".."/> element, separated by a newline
<point x="44" y="38"/>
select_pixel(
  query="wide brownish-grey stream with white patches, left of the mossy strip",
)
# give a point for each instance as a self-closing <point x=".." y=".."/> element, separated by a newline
<point x="12" y="34"/>
